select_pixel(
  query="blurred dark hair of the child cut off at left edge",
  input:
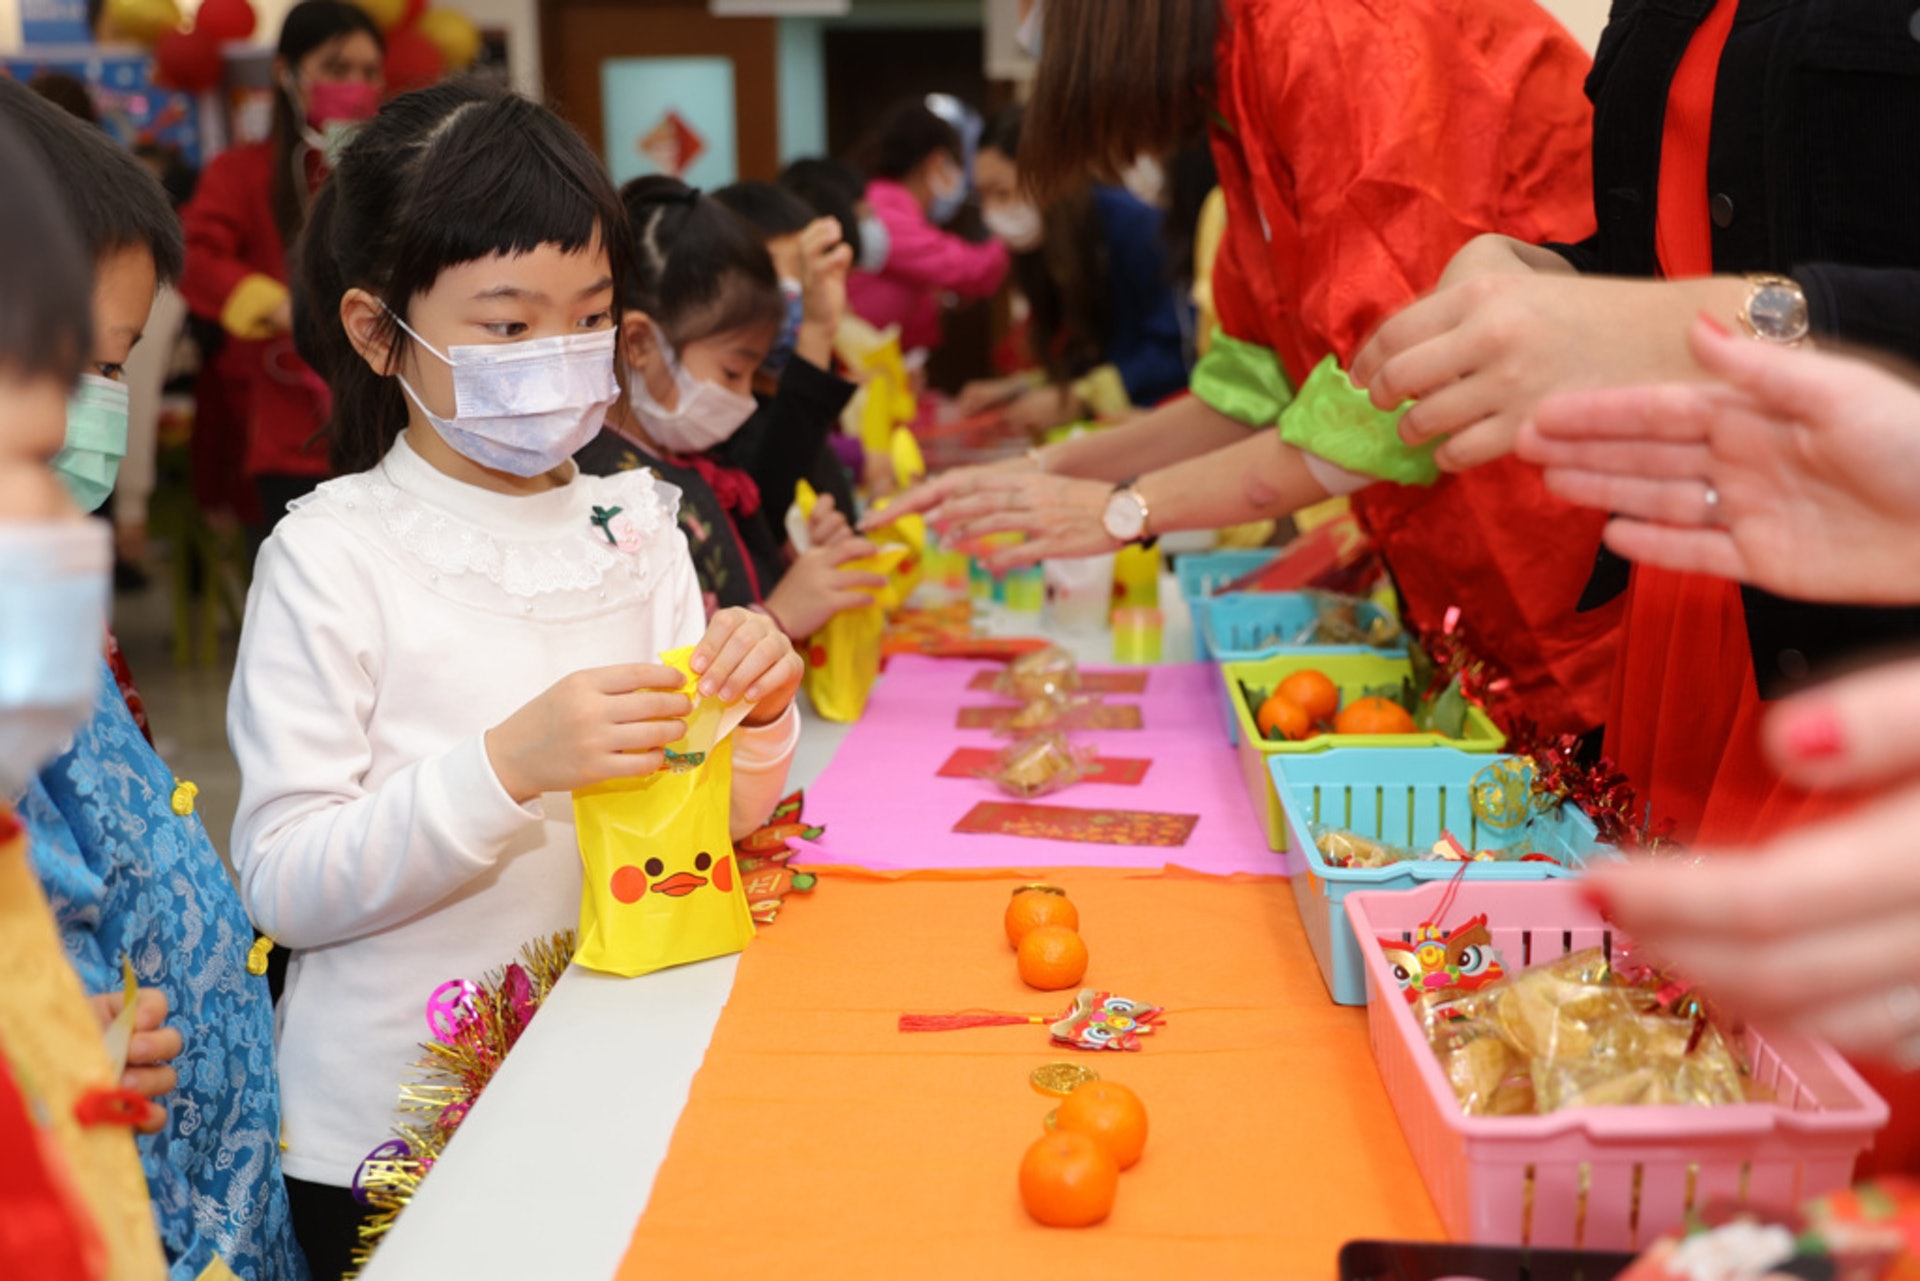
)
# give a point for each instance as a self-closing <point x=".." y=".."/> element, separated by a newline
<point x="49" y="299"/>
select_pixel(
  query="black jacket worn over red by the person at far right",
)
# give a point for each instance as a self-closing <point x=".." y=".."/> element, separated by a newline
<point x="1813" y="172"/>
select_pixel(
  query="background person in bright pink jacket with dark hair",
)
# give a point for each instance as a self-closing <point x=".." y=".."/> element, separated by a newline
<point x="917" y="183"/>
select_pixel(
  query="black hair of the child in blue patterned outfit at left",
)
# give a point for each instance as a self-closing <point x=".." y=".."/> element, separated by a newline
<point x="112" y="201"/>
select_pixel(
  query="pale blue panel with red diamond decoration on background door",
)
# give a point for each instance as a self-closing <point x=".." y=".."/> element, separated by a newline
<point x="671" y="116"/>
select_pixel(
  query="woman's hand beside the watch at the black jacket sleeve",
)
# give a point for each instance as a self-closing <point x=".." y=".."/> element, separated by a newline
<point x="1489" y="345"/>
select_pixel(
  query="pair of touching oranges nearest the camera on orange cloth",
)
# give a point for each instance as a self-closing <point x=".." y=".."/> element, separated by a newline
<point x="1070" y="1176"/>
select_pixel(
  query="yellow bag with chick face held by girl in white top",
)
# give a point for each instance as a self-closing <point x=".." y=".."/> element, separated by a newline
<point x="661" y="886"/>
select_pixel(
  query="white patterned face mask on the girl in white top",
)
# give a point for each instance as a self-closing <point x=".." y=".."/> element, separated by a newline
<point x="525" y="408"/>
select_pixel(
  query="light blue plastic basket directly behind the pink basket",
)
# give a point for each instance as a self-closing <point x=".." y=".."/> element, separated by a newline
<point x="1404" y="798"/>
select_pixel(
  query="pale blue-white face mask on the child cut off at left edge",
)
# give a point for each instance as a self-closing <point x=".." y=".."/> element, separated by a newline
<point x="55" y="585"/>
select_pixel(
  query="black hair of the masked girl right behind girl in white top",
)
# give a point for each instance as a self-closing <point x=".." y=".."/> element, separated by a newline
<point x="698" y="268"/>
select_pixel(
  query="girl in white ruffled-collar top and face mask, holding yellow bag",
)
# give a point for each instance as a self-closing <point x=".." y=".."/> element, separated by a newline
<point x="462" y="629"/>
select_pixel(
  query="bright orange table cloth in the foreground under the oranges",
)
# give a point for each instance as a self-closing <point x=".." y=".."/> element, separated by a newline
<point x="819" y="1142"/>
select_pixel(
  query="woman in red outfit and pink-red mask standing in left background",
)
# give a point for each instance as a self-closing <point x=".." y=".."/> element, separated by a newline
<point x="247" y="214"/>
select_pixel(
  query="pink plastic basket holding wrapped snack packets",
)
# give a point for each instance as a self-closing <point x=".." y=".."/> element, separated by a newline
<point x="1598" y="1178"/>
